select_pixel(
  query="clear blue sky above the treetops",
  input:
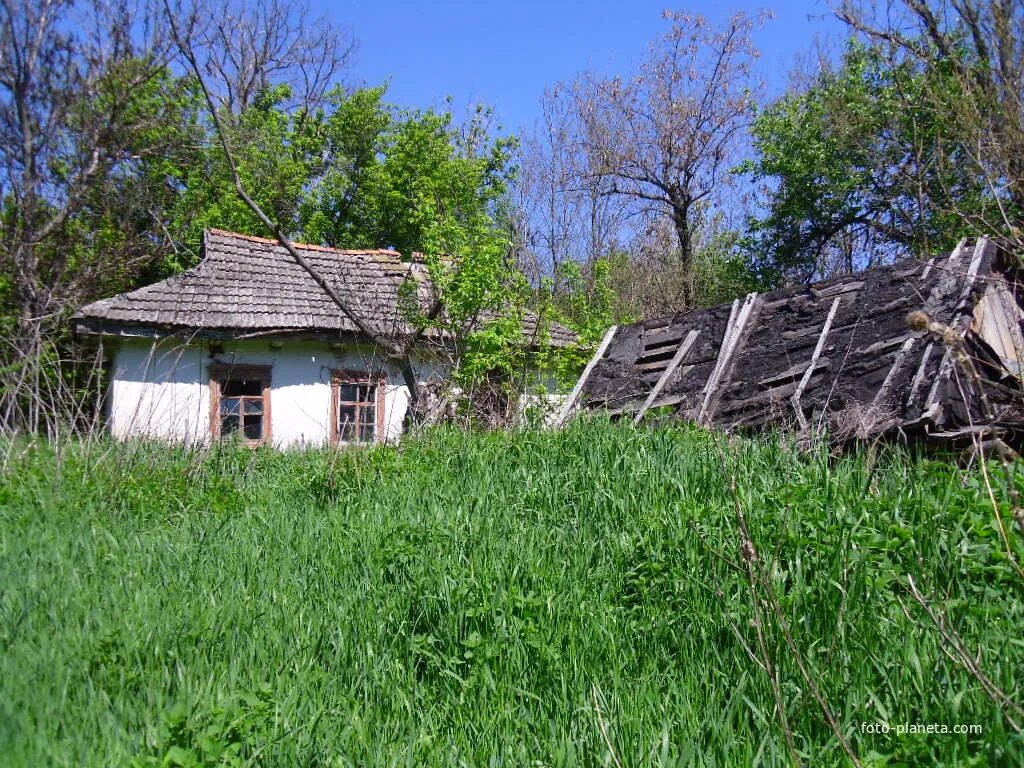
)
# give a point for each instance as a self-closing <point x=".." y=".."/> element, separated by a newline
<point x="505" y="55"/>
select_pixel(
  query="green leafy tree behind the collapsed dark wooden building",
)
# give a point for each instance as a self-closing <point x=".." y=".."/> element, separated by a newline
<point x="848" y="167"/>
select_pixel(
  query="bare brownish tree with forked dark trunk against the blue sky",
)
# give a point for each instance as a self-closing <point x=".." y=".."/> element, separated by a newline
<point x="667" y="138"/>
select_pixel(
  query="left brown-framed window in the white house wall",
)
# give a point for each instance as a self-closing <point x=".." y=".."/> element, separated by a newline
<point x="241" y="400"/>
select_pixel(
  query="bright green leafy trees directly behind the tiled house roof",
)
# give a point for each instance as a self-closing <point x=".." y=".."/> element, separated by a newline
<point x="362" y="175"/>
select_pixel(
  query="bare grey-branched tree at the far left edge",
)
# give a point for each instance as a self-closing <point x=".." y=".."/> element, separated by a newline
<point x="70" y="78"/>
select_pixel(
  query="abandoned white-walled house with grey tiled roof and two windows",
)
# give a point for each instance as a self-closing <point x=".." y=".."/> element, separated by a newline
<point x="248" y="345"/>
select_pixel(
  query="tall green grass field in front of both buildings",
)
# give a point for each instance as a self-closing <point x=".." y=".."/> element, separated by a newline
<point x="531" y="600"/>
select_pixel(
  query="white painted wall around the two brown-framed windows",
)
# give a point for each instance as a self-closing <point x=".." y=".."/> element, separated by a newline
<point x="162" y="389"/>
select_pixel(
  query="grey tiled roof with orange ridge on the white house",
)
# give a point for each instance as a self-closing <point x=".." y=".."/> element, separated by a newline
<point x="252" y="286"/>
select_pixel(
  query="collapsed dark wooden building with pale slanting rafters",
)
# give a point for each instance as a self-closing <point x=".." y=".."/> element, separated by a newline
<point x="921" y="350"/>
